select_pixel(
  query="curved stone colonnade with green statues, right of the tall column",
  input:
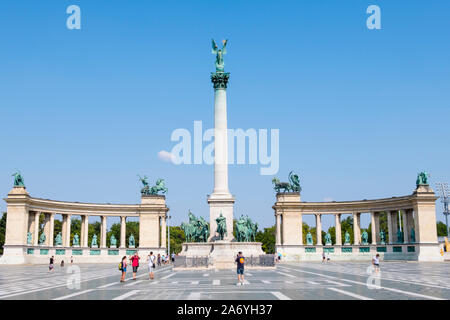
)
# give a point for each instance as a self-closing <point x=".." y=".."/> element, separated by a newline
<point x="411" y="227"/>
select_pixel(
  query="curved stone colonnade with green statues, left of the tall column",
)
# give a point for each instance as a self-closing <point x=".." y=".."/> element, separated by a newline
<point x="24" y="240"/>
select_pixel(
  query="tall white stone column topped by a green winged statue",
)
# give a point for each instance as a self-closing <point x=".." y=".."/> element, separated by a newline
<point x="220" y="201"/>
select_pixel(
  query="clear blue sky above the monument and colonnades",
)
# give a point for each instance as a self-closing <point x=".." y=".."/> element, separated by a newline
<point x="360" y="111"/>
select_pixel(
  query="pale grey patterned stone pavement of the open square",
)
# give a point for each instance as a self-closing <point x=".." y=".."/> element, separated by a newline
<point x="290" y="281"/>
